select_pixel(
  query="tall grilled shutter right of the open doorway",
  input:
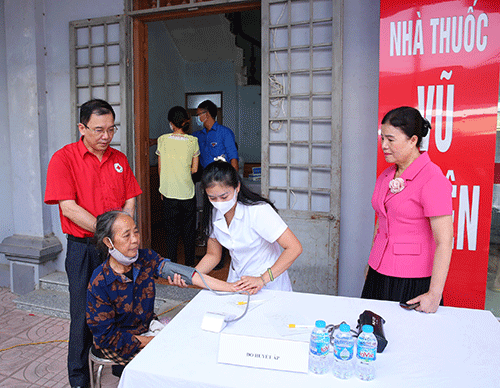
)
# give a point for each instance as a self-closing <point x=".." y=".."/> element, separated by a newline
<point x="301" y="137"/>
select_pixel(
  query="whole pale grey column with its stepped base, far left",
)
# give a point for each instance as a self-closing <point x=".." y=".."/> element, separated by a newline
<point x="32" y="247"/>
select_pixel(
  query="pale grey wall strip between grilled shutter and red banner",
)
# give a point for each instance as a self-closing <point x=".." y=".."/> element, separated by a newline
<point x="359" y="141"/>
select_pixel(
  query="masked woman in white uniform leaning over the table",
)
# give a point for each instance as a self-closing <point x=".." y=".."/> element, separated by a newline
<point x="261" y="245"/>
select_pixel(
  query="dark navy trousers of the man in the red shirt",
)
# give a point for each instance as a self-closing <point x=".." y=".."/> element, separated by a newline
<point x="81" y="260"/>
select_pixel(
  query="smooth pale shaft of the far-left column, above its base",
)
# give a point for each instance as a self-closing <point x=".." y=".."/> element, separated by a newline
<point x="25" y="86"/>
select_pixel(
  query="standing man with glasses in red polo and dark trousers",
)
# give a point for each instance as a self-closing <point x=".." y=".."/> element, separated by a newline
<point x="86" y="179"/>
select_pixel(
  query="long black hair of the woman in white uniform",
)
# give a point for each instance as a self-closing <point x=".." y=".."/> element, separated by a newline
<point x="223" y="173"/>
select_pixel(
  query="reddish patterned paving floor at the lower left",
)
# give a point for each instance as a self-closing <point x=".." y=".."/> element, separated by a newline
<point x="41" y="365"/>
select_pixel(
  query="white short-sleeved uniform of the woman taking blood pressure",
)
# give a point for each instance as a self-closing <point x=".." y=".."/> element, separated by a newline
<point x="251" y="241"/>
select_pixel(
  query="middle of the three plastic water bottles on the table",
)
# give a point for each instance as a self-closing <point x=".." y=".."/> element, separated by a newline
<point x="343" y="351"/>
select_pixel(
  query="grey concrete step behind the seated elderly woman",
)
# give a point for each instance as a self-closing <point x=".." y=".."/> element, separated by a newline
<point x="53" y="297"/>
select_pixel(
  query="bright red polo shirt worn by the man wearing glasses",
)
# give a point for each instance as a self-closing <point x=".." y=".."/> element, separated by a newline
<point x="97" y="186"/>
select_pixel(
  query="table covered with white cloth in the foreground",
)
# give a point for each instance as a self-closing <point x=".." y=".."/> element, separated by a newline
<point x="452" y="348"/>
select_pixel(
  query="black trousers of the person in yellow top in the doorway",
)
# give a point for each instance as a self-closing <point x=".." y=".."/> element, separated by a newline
<point x="180" y="219"/>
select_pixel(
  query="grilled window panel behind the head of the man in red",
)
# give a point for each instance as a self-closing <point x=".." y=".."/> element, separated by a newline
<point x="97" y="55"/>
